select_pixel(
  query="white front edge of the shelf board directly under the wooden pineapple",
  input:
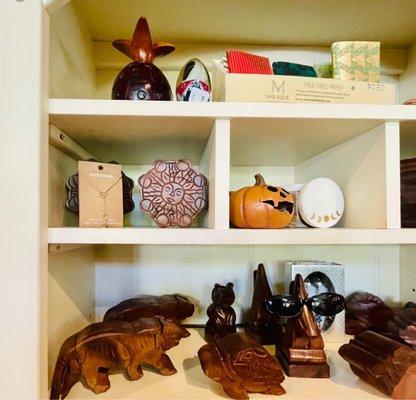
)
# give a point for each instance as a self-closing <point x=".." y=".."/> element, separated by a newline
<point x="61" y="108"/>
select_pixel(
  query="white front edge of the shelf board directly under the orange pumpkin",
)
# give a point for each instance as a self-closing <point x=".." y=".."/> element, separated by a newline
<point x="203" y="236"/>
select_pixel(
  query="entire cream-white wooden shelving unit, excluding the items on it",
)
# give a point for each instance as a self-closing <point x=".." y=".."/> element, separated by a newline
<point x="54" y="111"/>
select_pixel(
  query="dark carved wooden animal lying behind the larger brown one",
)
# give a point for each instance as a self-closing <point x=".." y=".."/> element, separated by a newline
<point x="172" y="306"/>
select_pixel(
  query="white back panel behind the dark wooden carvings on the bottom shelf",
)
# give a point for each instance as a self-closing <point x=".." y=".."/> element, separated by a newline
<point x="126" y="271"/>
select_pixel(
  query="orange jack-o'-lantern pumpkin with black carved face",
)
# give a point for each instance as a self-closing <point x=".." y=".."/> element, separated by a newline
<point x="261" y="206"/>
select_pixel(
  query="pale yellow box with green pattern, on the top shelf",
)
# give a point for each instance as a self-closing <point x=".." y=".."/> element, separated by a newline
<point x="356" y="61"/>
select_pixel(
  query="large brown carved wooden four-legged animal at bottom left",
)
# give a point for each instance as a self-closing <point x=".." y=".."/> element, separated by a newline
<point x="89" y="355"/>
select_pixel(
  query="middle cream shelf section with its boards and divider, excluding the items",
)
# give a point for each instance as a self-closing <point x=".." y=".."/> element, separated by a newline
<point x="356" y="146"/>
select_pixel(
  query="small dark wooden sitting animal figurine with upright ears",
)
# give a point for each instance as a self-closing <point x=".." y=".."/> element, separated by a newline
<point x="221" y="316"/>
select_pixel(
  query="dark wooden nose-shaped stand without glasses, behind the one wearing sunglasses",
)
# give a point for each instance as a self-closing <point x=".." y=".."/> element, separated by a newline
<point x="263" y="325"/>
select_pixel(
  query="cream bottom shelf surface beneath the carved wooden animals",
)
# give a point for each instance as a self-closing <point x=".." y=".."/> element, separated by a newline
<point x="191" y="383"/>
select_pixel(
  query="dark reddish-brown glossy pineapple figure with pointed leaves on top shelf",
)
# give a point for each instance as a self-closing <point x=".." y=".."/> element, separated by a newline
<point x="141" y="80"/>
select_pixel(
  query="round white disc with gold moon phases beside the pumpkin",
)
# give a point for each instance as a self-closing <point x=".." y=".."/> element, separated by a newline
<point x="321" y="203"/>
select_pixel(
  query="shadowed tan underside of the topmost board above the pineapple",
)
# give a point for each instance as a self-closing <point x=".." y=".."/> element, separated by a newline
<point x="273" y="22"/>
